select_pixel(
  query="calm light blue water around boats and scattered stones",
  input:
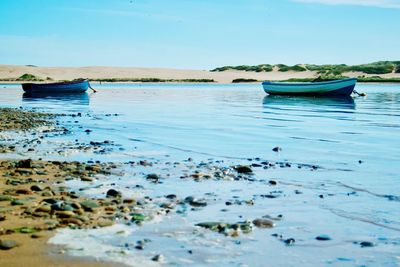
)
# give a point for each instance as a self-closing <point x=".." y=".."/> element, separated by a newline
<point x="232" y="123"/>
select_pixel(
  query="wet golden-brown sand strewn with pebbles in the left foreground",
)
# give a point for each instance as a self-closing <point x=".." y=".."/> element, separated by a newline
<point x="27" y="221"/>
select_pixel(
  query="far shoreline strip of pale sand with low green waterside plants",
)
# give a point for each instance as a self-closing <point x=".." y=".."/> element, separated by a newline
<point x="14" y="74"/>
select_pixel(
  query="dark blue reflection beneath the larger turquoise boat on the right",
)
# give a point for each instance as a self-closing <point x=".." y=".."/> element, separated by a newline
<point x="275" y="101"/>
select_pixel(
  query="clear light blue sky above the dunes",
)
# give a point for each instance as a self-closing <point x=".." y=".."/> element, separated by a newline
<point x="200" y="34"/>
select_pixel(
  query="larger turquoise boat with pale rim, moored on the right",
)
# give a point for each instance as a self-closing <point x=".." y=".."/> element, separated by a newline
<point x="342" y="87"/>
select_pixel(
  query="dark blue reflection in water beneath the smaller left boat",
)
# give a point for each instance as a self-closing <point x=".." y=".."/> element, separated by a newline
<point x="57" y="99"/>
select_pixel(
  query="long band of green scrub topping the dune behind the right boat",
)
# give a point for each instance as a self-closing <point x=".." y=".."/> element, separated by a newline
<point x="380" y="67"/>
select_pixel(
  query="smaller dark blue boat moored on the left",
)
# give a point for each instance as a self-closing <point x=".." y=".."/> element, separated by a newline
<point x="77" y="86"/>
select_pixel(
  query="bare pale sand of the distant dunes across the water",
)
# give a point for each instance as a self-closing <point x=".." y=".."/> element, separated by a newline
<point x="98" y="72"/>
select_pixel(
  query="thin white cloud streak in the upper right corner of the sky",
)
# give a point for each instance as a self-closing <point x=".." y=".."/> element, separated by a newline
<point x="372" y="3"/>
